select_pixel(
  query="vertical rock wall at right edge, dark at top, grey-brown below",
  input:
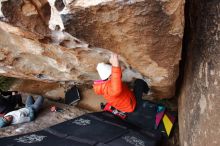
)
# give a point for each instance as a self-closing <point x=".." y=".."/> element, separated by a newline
<point x="199" y="102"/>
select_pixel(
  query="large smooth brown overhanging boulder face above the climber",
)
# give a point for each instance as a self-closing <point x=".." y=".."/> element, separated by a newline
<point x="147" y="33"/>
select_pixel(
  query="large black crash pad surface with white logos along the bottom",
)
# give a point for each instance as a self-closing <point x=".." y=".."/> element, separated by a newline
<point x="95" y="129"/>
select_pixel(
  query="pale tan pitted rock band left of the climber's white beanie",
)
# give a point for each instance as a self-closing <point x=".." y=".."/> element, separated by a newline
<point x="28" y="59"/>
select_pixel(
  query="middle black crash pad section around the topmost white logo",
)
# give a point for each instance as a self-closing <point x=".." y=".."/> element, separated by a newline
<point x="91" y="128"/>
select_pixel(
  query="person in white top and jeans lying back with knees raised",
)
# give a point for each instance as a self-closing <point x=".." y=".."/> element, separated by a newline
<point x="23" y="115"/>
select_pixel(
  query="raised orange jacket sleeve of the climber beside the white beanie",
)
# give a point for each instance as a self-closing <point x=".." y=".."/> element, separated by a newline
<point x="116" y="82"/>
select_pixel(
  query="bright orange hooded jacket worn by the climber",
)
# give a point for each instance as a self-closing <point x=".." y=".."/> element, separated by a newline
<point x="115" y="92"/>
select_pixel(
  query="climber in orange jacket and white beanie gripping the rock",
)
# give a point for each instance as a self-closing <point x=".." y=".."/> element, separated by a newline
<point x="117" y="93"/>
